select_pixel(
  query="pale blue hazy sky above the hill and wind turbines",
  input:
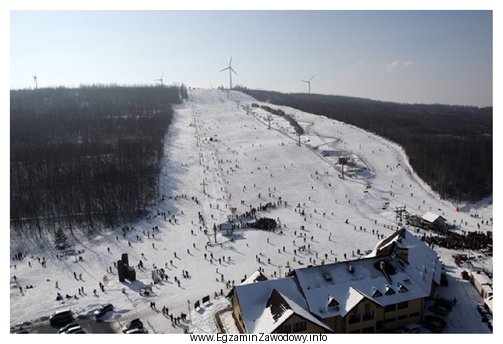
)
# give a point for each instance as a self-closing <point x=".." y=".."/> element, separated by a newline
<point x="404" y="56"/>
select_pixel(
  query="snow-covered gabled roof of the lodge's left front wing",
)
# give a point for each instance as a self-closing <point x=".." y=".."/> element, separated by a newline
<point x="258" y="317"/>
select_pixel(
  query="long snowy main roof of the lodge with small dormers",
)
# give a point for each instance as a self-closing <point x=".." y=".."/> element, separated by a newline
<point x="409" y="281"/>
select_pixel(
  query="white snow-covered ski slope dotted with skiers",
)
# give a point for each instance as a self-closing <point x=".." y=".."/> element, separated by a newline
<point x="220" y="145"/>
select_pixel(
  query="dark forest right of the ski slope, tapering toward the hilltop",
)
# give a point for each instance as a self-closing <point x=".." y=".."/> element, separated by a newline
<point x="450" y="147"/>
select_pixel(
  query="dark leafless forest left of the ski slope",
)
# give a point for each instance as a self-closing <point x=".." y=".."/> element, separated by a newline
<point x="86" y="155"/>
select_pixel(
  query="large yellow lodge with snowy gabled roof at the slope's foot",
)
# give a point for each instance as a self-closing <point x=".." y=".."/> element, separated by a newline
<point x="381" y="292"/>
